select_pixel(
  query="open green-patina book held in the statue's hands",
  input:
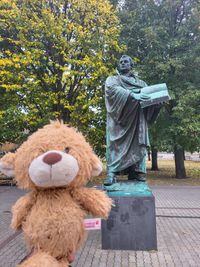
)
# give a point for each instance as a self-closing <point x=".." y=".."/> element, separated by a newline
<point x="155" y="94"/>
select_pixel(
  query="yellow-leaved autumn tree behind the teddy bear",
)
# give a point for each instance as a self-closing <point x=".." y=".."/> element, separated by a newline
<point x="54" y="56"/>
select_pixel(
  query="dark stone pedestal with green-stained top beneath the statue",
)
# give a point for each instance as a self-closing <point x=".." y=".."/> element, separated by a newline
<point x="131" y="224"/>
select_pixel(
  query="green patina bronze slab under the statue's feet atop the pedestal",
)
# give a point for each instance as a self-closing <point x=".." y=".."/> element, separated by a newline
<point x="123" y="189"/>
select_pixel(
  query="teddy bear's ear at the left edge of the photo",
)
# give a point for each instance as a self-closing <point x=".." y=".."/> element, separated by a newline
<point x="7" y="164"/>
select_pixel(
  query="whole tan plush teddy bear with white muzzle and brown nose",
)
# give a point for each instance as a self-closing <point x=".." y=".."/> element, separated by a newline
<point x="54" y="165"/>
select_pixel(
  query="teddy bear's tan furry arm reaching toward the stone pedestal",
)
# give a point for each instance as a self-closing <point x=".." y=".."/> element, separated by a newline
<point x="94" y="201"/>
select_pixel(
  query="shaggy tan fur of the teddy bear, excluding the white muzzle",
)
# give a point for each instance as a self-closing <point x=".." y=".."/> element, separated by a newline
<point x="52" y="218"/>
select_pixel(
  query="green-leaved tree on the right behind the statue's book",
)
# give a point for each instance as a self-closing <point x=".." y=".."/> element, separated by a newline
<point x="163" y="37"/>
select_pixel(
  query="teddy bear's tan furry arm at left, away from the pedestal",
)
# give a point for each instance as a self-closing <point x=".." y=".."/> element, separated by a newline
<point x="20" y="210"/>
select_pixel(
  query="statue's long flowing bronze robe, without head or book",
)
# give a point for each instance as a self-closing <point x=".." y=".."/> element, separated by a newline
<point x="127" y="124"/>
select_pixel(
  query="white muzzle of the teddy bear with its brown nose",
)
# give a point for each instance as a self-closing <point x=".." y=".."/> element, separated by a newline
<point x="53" y="169"/>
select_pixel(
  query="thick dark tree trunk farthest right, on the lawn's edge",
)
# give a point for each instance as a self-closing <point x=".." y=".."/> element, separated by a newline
<point x="179" y="163"/>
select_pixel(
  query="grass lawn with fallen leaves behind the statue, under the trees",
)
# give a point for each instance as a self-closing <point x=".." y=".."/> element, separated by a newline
<point x="166" y="174"/>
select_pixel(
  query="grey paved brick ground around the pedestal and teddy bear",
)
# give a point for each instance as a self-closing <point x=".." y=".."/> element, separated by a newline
<point x="178" y="233"/>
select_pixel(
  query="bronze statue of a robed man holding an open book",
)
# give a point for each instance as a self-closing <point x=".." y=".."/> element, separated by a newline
<point x="131" y="106"/>
